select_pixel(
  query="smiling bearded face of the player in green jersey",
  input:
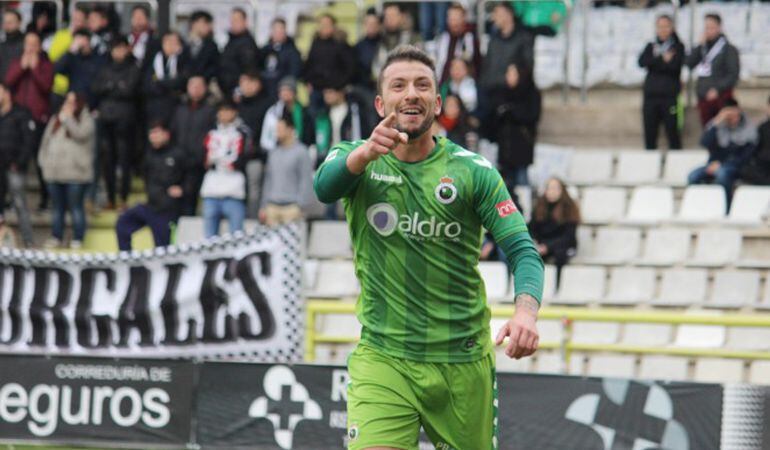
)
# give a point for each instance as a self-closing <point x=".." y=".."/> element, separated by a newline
<point x="409" y="90"/>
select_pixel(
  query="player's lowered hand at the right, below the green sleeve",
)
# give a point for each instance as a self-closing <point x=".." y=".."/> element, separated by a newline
<point x="521" y="329"/>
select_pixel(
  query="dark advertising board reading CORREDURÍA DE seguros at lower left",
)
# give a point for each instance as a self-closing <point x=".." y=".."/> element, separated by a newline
<point x="94" y="400"/>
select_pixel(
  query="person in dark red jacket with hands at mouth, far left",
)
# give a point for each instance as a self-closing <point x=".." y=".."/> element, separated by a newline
<point x="30" y="79"/>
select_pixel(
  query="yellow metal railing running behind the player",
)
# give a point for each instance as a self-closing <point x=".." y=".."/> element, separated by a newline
<point x="567" y="317"/>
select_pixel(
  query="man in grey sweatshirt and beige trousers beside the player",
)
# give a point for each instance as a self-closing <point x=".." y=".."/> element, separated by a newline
<point x="288" y="177"/>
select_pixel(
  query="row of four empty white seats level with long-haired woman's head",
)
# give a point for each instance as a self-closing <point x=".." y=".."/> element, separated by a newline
<point x="649" y="205"/>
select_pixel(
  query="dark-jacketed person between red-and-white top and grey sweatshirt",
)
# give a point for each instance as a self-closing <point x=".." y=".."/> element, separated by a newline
<point x="253" y="103"/>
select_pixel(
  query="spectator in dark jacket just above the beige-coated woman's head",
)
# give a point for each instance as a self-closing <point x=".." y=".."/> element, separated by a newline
<point x="81" y="64"/>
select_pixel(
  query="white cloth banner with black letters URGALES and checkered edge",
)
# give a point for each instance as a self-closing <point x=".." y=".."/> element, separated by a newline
<point x="236" y="297"/>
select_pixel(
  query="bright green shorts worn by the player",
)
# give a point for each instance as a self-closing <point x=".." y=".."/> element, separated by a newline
<point x="390" y="398"/>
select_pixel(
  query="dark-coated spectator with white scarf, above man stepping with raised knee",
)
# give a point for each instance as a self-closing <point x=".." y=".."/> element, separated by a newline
<point x="165" y="80"/>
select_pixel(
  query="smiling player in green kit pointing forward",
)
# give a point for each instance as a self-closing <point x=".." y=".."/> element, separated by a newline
<point x="416" y="205"/>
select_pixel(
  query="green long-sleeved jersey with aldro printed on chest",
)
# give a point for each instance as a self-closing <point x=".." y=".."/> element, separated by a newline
<point x="416" y="230"/>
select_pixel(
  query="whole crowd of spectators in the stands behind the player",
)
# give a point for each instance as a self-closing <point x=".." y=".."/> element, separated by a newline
<point x="222" y="132"/>
